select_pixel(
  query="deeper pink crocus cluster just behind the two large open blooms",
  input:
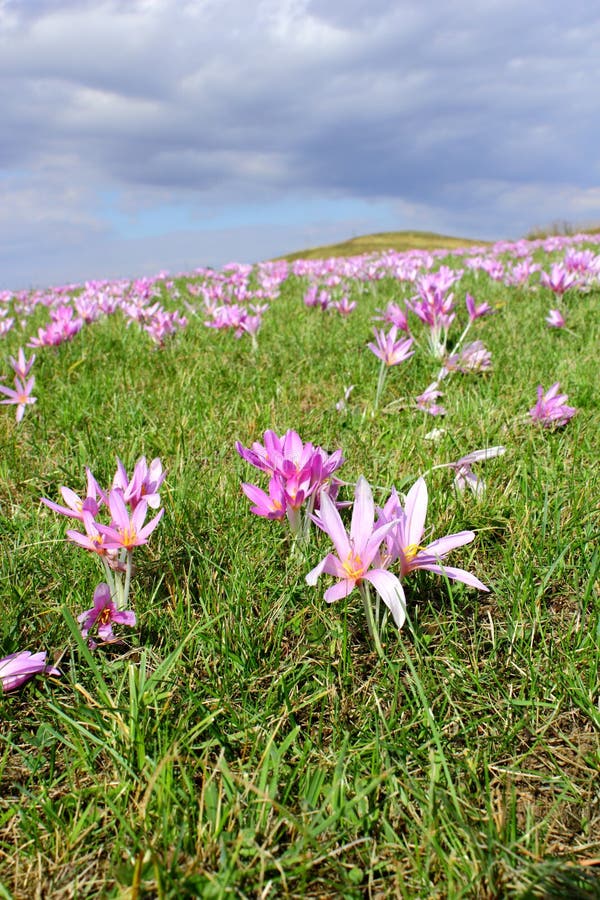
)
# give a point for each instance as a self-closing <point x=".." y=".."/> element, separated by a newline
<point x="298" y="474"/>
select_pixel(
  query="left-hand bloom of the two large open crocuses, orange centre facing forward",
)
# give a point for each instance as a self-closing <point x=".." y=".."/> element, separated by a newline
<point x="356" y="552"/>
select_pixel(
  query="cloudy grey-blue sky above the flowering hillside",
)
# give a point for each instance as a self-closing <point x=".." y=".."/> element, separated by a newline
<point x="140" y="136"/>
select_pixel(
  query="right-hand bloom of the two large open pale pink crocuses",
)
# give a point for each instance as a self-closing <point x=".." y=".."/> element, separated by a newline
<point x="403" y="540"/>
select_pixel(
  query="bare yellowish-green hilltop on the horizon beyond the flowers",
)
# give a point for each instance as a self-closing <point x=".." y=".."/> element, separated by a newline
<point x="385" y="240"/>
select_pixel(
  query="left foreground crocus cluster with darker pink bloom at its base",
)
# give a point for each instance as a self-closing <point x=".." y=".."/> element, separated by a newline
<point x="114" y="524"/>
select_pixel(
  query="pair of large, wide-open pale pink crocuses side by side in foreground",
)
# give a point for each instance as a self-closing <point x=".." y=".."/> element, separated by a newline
<point x="366" y="554"/>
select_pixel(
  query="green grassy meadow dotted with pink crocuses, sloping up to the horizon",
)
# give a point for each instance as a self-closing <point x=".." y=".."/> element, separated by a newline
<point x="246" y="738"/>
